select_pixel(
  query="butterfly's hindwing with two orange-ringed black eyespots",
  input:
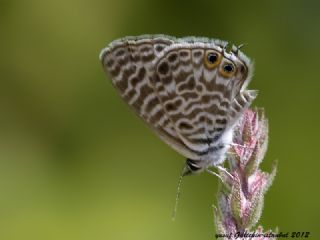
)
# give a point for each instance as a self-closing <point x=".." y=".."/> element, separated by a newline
<point x="202" y="101"/>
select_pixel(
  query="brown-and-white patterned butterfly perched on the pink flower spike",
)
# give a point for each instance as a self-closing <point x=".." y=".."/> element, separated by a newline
<point x="191" y="91"/>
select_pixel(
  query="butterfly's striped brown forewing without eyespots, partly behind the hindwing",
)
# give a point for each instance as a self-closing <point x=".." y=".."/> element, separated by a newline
<point x="129" y="63"/>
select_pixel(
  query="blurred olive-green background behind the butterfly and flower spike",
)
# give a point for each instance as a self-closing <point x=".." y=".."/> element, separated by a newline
<point x="76" y="163"/>
